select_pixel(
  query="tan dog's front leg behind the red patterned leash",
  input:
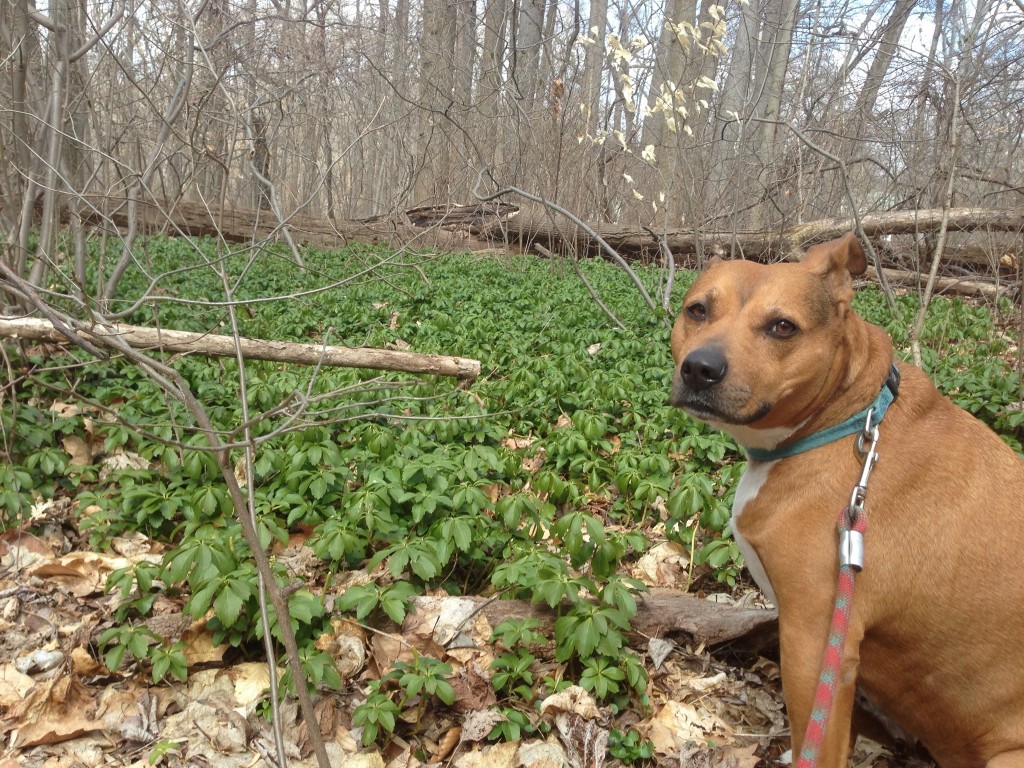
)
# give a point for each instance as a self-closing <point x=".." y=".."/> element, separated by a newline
<point x="802" y="646"/>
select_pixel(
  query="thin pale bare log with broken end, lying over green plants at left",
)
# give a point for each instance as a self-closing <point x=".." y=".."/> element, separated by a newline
<point x="216" y="346"/>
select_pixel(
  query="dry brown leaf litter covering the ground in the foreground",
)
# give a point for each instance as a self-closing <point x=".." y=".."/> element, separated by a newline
<point x="62" y="707"/>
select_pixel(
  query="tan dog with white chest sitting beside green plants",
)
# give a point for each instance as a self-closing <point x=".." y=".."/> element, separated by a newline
<point x="773" y="355"/>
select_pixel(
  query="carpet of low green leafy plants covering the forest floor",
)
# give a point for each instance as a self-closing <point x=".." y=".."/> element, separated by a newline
<point x="541" y="481"/>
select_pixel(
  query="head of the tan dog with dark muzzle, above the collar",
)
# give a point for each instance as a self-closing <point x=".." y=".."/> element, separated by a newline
<point x="758" y="348"/>
